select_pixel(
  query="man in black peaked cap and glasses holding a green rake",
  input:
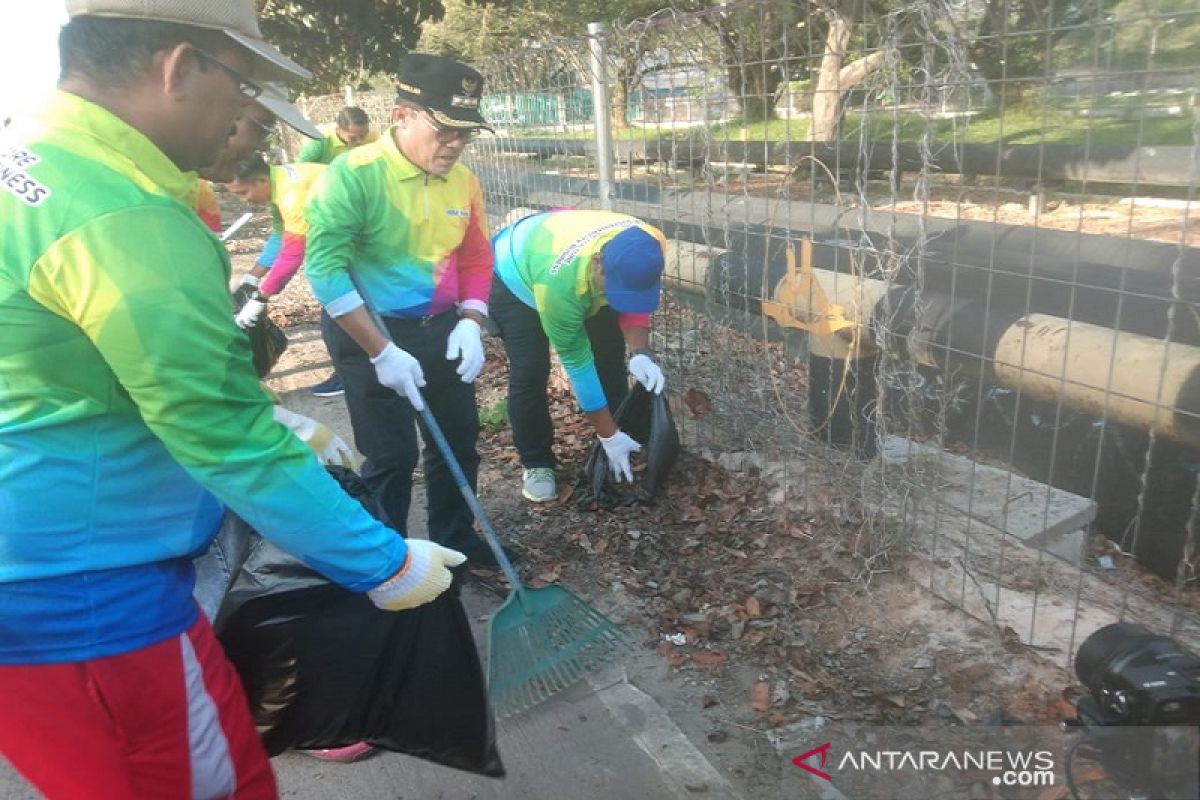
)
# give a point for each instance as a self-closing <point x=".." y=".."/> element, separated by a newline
<point x="410" y="220"/>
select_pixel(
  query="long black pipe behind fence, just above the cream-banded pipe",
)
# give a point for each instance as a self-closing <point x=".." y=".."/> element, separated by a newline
<point x="1118" y="282"/>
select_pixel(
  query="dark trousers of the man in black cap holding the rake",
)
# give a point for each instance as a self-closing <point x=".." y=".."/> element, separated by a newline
<point x="386" y="426"/>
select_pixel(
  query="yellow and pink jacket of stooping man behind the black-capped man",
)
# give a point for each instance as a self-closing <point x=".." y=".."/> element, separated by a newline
<point x="285" y="250"/>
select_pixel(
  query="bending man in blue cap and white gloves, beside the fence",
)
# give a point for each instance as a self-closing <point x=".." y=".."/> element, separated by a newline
<point x="587" y="284"/>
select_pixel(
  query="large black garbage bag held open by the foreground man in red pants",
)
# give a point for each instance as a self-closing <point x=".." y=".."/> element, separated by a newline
<point x="323" y="667"/>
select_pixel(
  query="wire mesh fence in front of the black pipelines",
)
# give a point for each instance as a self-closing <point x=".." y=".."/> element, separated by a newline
<point x="933" y="274"/>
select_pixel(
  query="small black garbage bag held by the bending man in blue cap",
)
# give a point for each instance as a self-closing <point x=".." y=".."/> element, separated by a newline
<point x="645" y="417"/>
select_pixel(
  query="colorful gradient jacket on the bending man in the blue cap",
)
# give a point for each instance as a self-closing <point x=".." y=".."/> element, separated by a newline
<point x="545" y="260"/>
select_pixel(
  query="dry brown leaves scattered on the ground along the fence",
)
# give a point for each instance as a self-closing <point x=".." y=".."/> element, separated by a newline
<point x="767" y="605"/>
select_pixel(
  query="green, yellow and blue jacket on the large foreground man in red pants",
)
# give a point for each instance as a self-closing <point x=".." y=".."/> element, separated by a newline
<point x="130" y="413"/>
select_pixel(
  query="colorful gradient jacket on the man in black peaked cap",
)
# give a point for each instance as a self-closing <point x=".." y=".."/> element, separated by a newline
<point x="418" y="242"/>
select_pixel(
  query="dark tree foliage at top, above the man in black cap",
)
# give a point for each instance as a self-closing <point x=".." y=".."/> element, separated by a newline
<point x="346" y="41"/>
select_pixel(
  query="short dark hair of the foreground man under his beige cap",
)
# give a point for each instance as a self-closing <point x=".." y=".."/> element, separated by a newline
<point x="116" y="51"/>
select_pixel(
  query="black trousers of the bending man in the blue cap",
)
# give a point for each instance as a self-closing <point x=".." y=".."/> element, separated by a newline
<point x="529" y="350"/>
